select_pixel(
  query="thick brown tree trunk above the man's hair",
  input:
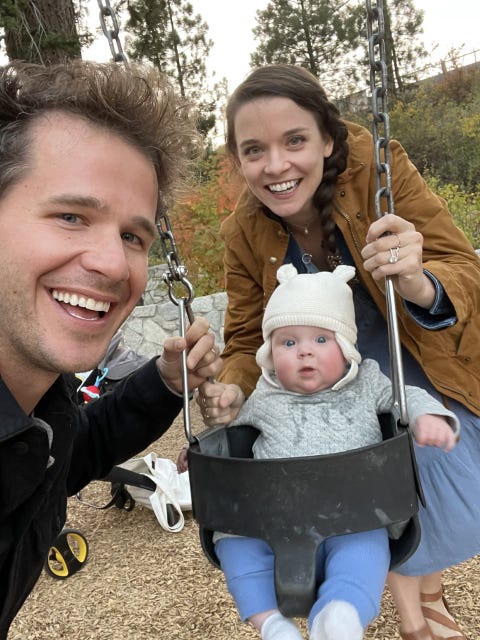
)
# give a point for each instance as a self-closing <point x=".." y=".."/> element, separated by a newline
<point x="42" y="31"/>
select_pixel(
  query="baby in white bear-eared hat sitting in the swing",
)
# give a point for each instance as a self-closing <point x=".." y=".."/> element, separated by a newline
<point x="315" y="396"/>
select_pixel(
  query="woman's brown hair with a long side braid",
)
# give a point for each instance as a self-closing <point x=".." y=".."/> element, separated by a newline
<point x="299" y="85"/>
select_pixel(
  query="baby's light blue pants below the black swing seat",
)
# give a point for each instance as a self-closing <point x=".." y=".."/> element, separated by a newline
<point x="352" y="568"/>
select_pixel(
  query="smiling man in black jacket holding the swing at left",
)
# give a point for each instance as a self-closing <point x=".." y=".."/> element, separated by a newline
<point x="86" y="149"/>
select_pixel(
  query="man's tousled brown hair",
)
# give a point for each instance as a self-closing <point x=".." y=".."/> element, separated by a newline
<point x="136" y="102"/>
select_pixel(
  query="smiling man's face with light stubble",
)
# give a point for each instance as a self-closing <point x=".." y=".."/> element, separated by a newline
<point x="76" y="231"/>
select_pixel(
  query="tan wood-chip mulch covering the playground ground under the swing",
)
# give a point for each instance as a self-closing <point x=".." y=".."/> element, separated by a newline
<point x="141" y="582"/>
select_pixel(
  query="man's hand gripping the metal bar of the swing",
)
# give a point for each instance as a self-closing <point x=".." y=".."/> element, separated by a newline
<point x="203" y="359"/>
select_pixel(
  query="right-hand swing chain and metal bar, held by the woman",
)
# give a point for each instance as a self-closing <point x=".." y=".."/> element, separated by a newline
<point x="378" y="67"/>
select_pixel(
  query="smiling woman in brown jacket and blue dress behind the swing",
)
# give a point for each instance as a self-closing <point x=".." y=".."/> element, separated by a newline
<point x="309" y="200"/>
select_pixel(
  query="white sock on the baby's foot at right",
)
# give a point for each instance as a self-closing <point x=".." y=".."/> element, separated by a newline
<point x="338" y="620"/>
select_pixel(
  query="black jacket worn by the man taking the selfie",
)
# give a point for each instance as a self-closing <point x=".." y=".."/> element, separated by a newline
<point x="45" y="458"/>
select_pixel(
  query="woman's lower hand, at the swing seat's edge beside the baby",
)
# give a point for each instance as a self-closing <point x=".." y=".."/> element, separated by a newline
<point x="219" y="403"/>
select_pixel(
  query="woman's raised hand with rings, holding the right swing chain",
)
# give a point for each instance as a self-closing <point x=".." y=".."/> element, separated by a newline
<point x="400" y="255"/>
